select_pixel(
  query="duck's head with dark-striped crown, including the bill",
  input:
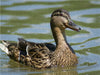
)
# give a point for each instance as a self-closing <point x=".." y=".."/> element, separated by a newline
<point x="61" y="18"/>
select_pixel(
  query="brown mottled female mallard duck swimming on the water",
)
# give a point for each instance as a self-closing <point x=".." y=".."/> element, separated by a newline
<point x="43" y="55"/>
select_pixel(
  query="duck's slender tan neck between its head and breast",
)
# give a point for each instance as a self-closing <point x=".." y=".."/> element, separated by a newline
<point x="60" y="39"/>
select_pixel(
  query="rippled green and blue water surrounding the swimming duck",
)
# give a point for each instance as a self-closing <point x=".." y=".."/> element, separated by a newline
<point x="29" y="19"/>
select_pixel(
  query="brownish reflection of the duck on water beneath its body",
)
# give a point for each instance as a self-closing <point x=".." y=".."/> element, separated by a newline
<point x="20" y="69"/>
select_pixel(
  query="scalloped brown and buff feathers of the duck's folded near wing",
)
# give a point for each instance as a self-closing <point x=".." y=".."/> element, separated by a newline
<point x="39" y="55"/>
